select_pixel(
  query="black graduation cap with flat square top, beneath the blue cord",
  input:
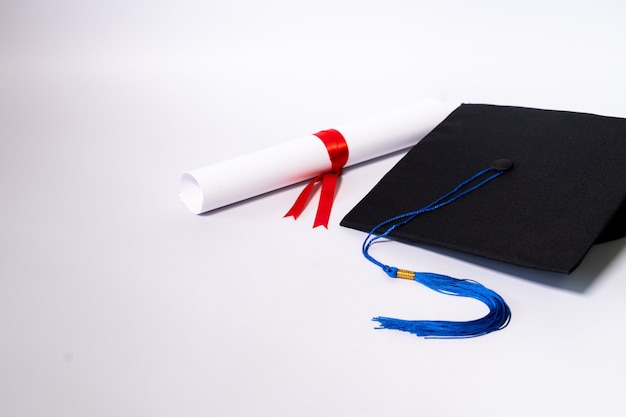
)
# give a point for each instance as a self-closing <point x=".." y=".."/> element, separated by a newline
<point x="565" y="191"/>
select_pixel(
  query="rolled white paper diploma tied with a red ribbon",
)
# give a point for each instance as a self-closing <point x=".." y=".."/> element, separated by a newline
<point x="249" y="175"/>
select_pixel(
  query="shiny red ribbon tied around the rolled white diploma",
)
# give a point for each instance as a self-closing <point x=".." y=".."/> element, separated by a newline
<point x="338" y="153"/>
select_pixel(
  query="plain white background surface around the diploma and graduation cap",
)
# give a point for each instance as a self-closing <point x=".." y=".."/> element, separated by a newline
<point x="116" y="301"/>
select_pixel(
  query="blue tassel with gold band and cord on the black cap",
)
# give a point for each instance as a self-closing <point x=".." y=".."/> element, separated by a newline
<point x="499" y="314"/>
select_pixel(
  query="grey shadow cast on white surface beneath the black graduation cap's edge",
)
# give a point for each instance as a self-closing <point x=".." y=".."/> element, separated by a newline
<point x="580" y="280"/>
